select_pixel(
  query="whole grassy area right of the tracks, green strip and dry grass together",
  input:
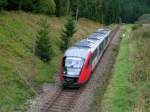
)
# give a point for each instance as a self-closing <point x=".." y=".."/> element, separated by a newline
<point x="129" y="88"/>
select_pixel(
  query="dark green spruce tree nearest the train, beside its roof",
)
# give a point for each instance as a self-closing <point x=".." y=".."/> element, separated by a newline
<point x="67" y="34"/>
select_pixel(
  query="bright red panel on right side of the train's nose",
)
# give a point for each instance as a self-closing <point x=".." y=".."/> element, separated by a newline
<point x="86" y="70"/>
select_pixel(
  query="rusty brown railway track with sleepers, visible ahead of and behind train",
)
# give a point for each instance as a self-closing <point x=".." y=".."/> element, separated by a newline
<point x="64" y="99"/>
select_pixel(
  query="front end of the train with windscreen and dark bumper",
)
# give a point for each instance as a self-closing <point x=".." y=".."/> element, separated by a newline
<point x="72" y="67"/>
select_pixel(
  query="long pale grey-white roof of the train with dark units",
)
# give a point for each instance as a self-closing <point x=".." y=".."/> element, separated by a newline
<point x="80" y="49"/>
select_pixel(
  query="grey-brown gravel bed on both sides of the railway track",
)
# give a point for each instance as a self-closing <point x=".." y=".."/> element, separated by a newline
<point x="84" y="100"/>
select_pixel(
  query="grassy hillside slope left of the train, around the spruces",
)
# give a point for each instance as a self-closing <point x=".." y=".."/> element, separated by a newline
<point x="17" y="30"/>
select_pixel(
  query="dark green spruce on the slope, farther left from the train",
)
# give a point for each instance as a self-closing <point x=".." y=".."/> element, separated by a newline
<point x="43" y="45"/>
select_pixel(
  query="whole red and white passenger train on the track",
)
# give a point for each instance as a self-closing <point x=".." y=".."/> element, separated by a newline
<point x="80" y="60"/>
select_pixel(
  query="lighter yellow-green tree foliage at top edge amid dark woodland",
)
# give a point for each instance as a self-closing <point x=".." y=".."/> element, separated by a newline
<point x="45" y="6"/>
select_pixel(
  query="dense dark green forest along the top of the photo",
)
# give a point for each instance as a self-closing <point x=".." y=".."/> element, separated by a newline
<point x="104" y="11"/>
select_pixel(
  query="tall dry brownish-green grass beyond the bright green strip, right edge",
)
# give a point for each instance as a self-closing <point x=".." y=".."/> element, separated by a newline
<point x="140" y="78"/>
